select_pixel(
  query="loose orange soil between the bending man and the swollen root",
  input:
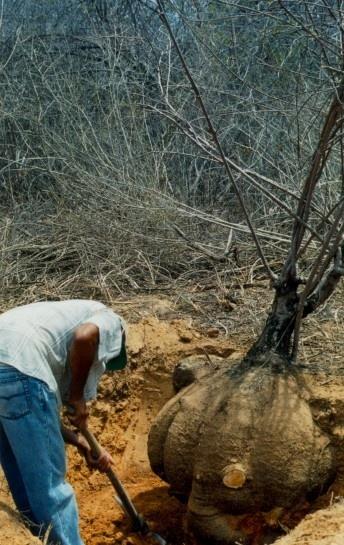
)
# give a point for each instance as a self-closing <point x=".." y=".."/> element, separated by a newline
<point x="121" y="421"/>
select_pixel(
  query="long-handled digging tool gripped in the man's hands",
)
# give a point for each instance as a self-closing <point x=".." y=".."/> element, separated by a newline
<point x="138" y="522"/>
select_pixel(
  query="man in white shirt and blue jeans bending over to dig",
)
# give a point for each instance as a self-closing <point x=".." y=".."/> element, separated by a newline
<point x="52" y="353"/>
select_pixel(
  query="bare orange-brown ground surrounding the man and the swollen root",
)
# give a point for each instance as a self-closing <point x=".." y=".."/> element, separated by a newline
<point x="162" y="331"/>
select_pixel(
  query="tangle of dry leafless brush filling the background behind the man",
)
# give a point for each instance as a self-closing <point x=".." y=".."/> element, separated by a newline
<point x="97" y="185"/>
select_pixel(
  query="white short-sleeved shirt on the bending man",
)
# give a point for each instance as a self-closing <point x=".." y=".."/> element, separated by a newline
<point x="36" y="338"/>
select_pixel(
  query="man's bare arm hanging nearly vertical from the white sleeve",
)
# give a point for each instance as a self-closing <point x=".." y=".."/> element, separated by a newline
<point x="82" y="353"/>
